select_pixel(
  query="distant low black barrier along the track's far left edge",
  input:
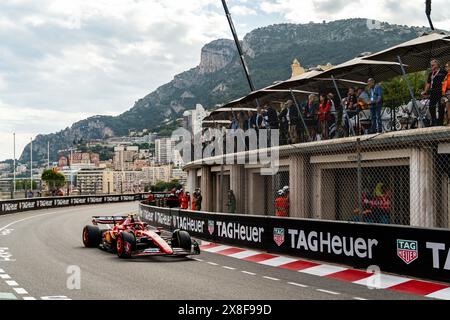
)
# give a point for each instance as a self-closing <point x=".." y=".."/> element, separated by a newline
<point x="21" y="205"/>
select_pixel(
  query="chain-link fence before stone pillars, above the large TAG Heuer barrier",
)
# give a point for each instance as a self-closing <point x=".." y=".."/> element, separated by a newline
<point x="401" y="178"/>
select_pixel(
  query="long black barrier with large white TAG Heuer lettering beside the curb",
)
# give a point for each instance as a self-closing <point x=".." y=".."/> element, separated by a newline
<point x="423" y="253"/>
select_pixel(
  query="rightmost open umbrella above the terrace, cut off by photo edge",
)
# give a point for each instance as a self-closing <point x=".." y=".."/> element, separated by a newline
<point x="418" y="52"/>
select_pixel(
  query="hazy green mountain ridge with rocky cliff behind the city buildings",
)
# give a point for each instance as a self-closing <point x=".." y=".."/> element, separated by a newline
<point x="219" y="77"/>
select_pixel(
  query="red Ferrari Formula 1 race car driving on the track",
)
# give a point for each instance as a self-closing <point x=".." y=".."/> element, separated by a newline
<point x="129" y="237"/>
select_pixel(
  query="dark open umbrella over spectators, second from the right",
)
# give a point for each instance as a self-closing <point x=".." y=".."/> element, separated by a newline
<point x="359" y="69"/>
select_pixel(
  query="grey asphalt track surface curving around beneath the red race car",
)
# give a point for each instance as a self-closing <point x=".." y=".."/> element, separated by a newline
<point x="43" y="246"/>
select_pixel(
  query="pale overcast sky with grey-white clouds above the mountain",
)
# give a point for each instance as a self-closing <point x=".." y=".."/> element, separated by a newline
<point x="64" y="60"/>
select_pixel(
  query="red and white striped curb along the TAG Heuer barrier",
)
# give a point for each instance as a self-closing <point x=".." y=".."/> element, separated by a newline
<point x="370" y="280"/>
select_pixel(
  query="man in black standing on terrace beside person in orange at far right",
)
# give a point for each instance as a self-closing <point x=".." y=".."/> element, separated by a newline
<point x="433" y="89"/>
